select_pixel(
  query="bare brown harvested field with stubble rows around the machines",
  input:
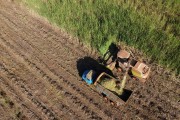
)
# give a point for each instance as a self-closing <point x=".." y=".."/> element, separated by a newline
<point x="39" y="77"/>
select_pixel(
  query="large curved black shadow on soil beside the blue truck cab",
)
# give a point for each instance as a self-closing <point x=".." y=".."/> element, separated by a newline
<point x="88" y="63"/>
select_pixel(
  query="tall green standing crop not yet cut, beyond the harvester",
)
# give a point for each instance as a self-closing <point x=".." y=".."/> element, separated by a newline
<point x="150" y="26"/>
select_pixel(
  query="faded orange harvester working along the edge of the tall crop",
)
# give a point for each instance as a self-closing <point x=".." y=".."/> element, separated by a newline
<point x="123" y="59"/>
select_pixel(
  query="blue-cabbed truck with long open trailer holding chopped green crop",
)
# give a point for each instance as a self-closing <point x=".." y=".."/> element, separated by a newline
<point x="107" y="86"/>
